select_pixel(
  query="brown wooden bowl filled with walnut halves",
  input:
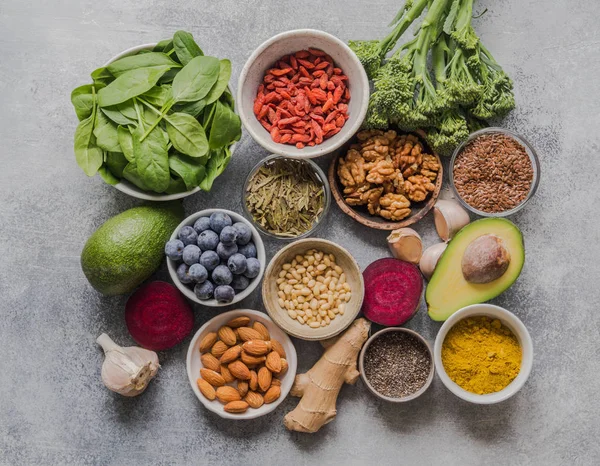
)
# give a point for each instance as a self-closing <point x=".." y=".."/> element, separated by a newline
<point x="386" y="179"/>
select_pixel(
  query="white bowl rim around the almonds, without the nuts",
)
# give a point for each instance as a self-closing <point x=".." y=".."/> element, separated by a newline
<point x="251" y="413"/>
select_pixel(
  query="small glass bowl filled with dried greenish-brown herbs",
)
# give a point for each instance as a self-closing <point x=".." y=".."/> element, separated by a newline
<point x="286" y="198"/>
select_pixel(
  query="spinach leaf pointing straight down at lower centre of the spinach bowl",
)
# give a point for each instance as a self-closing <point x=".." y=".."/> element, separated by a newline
<point x="152" y="159"/>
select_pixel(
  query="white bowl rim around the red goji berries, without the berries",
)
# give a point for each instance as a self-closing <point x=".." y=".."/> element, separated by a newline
<point x="347" y="132"/>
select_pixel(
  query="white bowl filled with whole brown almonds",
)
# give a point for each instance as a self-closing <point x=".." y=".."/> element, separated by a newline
<point x="241" y="365"/>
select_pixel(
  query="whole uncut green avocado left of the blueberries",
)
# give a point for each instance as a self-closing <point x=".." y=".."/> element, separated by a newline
<point x="129" y="247"/>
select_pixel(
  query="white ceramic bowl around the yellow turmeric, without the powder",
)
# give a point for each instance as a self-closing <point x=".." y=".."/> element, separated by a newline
<point x="514" y="324"/>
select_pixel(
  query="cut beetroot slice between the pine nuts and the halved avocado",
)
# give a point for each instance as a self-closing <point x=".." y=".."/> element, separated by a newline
<point x="393" y="290"/>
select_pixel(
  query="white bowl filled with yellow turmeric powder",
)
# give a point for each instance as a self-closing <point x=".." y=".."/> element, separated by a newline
<point x="483" y="354"/>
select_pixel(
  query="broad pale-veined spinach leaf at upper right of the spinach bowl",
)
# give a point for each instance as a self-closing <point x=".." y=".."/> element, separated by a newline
<point x="194" y="80"/>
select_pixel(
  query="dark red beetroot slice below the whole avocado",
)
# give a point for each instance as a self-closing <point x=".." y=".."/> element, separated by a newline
<point x="158" y="316"/>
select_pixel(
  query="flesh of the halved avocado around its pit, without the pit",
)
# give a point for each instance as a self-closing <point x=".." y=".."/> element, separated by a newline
<point x="448" y="291"/>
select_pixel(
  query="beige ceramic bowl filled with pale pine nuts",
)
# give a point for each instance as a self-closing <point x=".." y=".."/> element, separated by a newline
<point x="313" y="289"/>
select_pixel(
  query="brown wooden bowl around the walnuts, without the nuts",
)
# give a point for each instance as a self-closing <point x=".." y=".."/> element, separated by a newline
<point x="362" y="218"/>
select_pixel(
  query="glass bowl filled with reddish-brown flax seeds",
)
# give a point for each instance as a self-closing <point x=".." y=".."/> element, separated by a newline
<point x="494" y="173"/>
